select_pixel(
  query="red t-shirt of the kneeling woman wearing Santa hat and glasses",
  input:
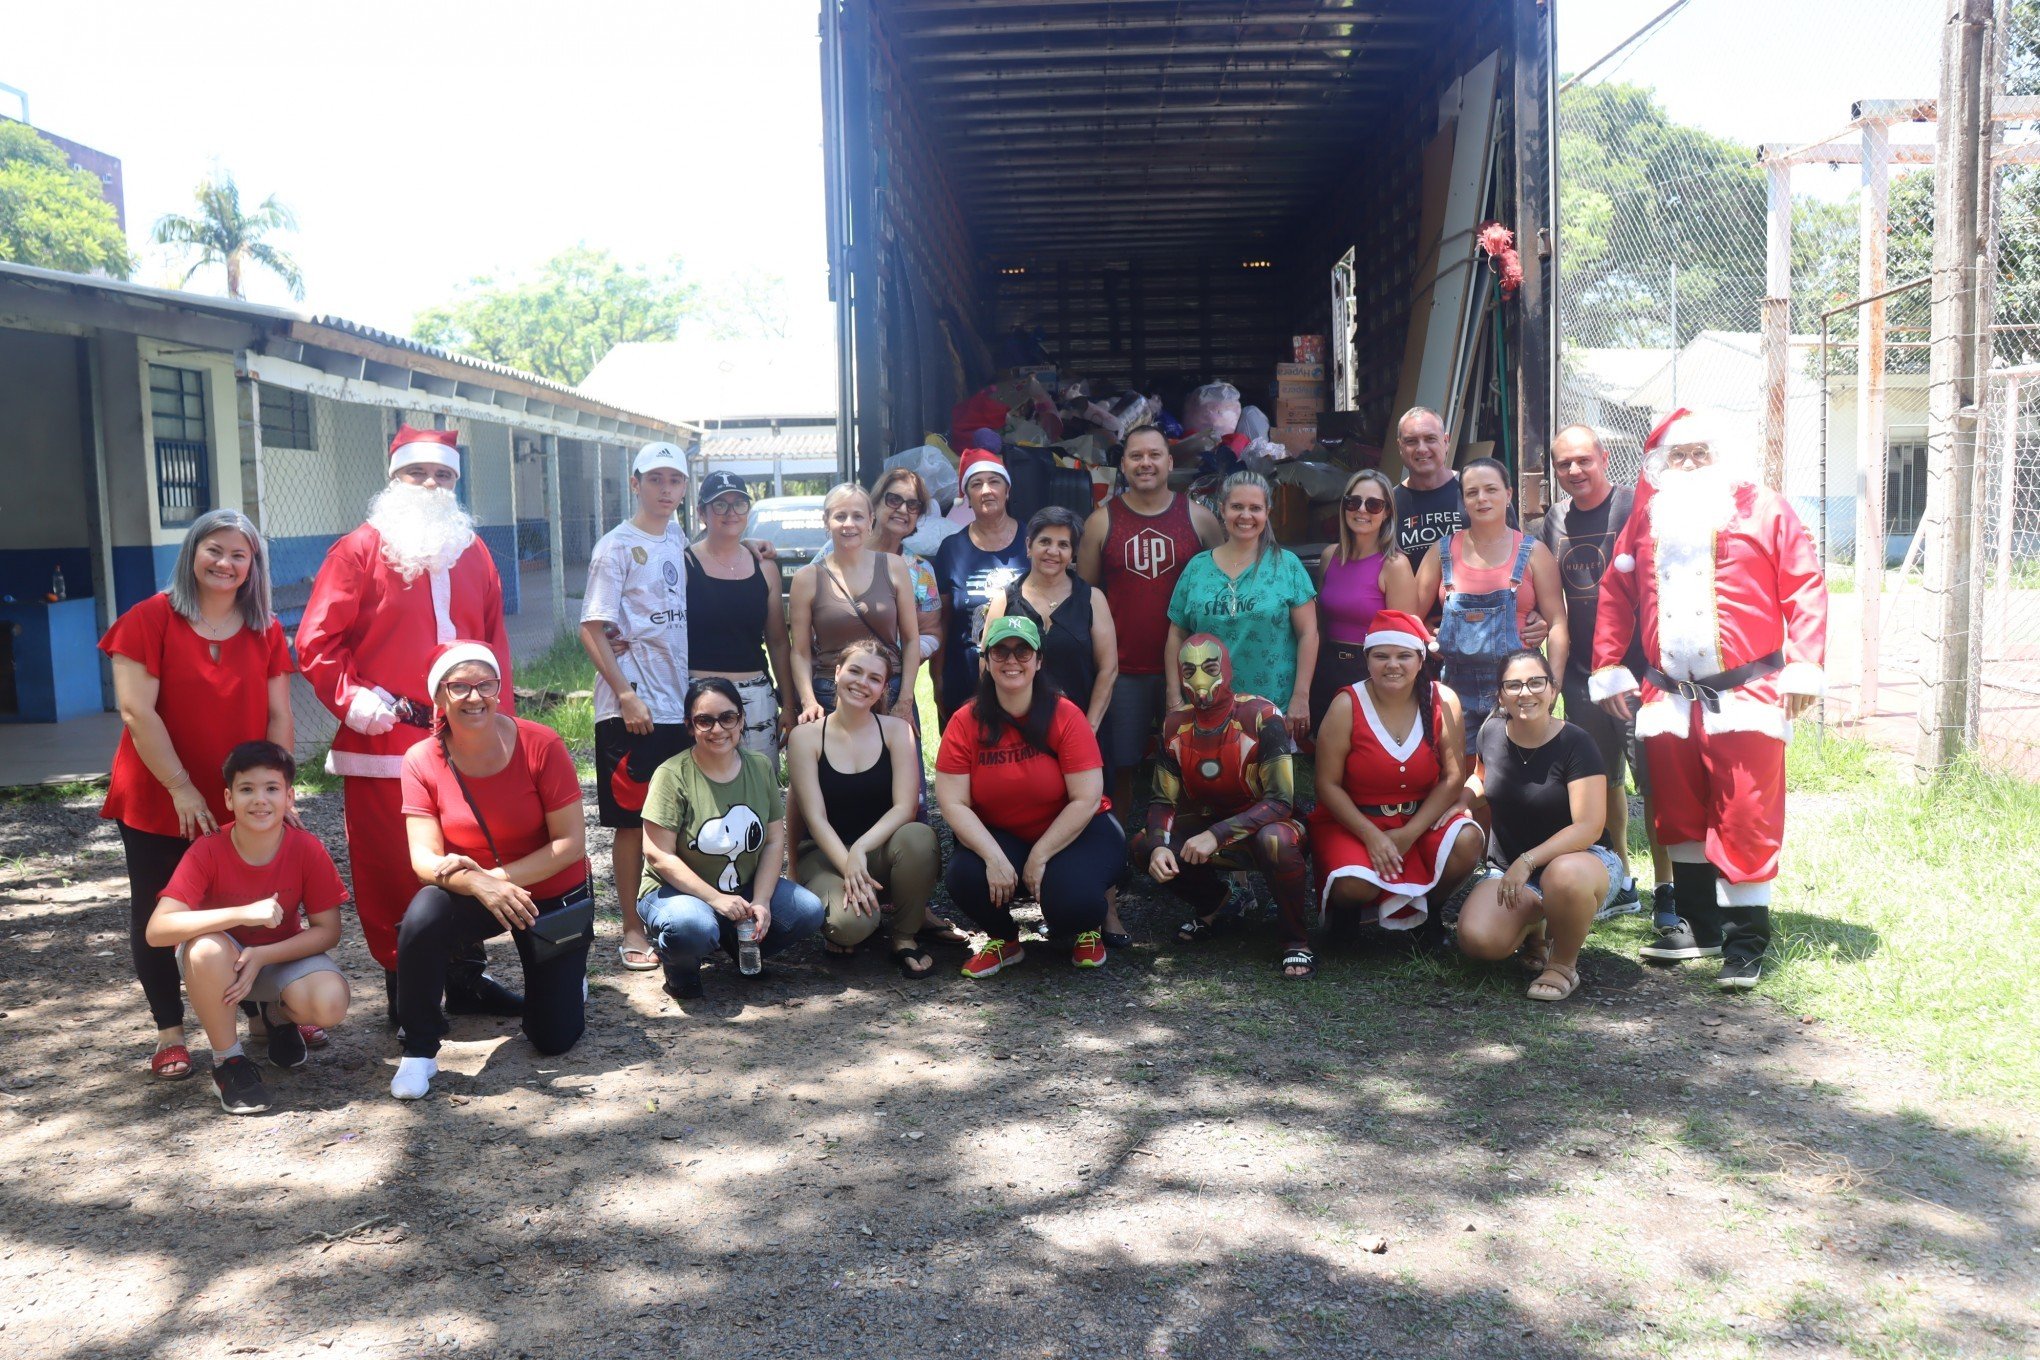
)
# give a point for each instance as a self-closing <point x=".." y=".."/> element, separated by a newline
<point x="515" y="802"/>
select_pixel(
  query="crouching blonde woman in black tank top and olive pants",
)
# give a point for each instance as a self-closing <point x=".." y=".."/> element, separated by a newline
<point x="858" y="784"/>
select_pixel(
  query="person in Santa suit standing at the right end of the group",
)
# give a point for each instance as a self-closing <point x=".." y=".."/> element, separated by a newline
<point x="1727" y="588"/>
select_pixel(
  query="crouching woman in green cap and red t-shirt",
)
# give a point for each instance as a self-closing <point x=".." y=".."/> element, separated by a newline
<point x="1023" y="784"/>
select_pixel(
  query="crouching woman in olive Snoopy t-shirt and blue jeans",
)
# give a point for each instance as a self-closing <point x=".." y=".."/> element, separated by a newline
<point x="715" y="847"/>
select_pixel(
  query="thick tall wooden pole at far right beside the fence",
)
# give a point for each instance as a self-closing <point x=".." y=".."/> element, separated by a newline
<point x="1961" y="311"/>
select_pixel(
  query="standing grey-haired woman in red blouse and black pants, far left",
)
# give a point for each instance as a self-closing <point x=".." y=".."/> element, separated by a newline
<point x="199" y="670"/>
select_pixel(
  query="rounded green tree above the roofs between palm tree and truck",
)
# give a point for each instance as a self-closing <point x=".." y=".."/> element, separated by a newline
<point x="560" y="321"/>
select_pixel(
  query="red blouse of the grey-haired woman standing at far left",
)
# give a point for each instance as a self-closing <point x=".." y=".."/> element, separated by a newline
<point x="207" y="707"/>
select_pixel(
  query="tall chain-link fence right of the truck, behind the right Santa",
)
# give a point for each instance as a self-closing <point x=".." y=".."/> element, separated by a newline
<point x="1668" y="250"/>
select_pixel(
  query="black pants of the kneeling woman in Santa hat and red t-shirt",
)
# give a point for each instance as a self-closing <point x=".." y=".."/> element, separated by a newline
<point x="438" y="925"/>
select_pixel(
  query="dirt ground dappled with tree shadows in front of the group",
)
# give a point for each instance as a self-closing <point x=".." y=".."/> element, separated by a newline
<point x="1174" y="1157"/>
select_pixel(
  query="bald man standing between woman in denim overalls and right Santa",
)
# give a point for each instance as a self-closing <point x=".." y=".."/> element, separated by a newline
<point x="1580" y="531"/>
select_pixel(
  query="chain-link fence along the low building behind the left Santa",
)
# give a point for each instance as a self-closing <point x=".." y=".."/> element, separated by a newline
<point x="319" y="462"/>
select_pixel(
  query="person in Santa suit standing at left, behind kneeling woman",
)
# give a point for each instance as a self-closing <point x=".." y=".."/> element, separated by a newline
<point x="387" y="600"/>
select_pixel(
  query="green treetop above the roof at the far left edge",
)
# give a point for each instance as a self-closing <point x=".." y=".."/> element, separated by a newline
<point x="54" y="217"/>
